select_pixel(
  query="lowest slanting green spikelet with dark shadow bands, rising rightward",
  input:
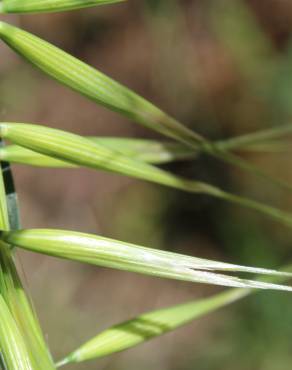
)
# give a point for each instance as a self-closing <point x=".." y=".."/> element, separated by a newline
<point x="150" y="325"/>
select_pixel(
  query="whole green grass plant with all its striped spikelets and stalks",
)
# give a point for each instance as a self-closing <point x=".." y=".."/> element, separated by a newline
<point x="22" y="343"/>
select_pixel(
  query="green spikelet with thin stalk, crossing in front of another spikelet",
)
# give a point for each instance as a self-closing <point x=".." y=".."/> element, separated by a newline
<point x="83" y="152"/>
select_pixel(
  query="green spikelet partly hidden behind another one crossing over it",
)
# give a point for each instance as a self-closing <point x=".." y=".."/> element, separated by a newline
<point x="154" y="151"/>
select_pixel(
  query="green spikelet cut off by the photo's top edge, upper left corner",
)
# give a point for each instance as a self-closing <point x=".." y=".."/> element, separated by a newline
<point x="40" y="6"/>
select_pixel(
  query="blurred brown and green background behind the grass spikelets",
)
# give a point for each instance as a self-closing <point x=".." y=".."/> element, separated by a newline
<point x="222" y="67"/>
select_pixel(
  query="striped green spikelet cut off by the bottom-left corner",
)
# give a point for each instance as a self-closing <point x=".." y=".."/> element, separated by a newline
<point x="12" y="346"/>
